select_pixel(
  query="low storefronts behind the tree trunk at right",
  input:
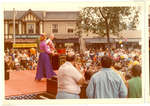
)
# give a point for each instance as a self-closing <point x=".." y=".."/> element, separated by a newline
<point x="97" y="43"/>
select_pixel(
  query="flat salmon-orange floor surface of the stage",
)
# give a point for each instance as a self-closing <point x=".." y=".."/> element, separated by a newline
<point x="23" y="83"/>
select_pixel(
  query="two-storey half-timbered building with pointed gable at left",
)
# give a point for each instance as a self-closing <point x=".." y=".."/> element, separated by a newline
<point x="30" y="24"/>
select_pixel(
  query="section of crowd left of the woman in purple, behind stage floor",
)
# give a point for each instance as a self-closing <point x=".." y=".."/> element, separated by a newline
<point x="20" y="59"/>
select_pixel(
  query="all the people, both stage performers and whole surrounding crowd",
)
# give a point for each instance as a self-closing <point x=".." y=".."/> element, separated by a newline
<point x="116" y="71"/>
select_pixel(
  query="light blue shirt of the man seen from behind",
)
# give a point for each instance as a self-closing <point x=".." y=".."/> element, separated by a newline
<point x="106" y="84"/>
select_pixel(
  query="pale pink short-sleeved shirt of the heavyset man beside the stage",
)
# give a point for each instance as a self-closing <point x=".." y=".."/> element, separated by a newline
<point x="68" y="76"/>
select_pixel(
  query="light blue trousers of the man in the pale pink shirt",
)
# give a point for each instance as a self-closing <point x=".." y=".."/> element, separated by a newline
<point x="65" y="95"/>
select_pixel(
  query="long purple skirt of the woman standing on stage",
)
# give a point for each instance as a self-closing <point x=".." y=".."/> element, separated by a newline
<point x="44" y="68"/>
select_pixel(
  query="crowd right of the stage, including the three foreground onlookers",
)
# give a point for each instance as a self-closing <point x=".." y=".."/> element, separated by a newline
<point x="111" y="73"/>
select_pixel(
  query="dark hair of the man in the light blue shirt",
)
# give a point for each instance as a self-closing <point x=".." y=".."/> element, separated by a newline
<point x="106" y="62"/>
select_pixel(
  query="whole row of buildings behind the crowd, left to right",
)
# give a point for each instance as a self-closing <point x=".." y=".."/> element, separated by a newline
<point x="30" y="24"/>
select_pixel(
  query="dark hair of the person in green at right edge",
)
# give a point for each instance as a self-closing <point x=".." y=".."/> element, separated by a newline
<point x="136" y="70"/>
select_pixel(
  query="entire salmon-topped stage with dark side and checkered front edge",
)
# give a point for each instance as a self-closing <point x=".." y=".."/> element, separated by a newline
<point x="22" y="85"/>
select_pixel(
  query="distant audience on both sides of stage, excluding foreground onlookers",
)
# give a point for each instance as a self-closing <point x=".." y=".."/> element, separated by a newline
<point x="23" y="59"/>
